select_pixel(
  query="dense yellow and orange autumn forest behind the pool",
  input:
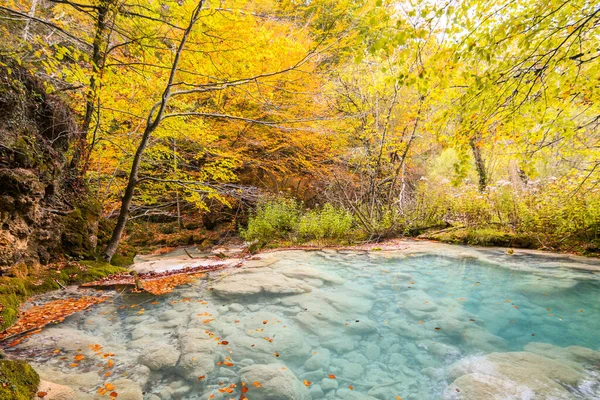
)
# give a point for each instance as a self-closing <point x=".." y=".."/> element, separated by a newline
<point x="468" y="121"/>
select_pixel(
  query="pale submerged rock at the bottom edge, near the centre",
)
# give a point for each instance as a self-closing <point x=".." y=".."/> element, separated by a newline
<point x="278" y="383"/>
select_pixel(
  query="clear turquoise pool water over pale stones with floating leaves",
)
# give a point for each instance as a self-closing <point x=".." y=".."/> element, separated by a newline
<point x="385" y="324"/>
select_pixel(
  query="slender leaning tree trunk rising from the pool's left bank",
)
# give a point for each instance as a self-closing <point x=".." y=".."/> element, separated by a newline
<point x="154" y="118"/>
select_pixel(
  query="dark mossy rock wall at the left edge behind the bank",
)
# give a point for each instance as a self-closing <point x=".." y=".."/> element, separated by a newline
<point x="45" y="210"/>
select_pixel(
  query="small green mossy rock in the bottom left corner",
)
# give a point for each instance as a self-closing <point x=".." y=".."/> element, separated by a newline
<point x="18" y="381"/>
